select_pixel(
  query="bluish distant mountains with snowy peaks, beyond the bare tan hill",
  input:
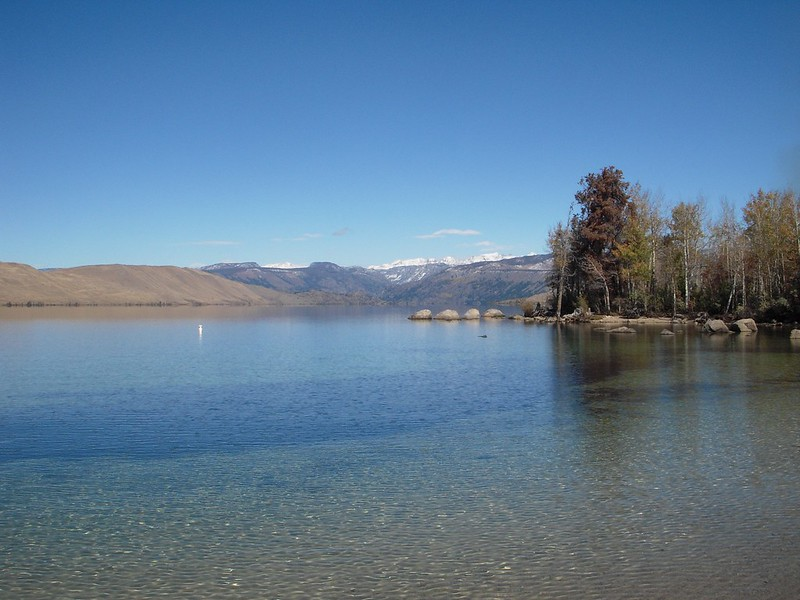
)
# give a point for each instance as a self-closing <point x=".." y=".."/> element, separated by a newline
<point x="479" y="281"/>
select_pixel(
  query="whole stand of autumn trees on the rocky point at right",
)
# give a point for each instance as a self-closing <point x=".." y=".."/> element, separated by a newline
<point x="617" y="252"/>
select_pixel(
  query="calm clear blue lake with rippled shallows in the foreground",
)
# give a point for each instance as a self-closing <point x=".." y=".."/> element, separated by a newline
<point x="351" y="453"/>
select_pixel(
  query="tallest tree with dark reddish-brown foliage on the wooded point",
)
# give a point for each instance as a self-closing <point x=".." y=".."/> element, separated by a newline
<point x="603" y="201"/>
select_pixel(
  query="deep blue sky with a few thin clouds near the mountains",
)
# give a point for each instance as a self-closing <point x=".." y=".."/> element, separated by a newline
<point x="193" y="132"/>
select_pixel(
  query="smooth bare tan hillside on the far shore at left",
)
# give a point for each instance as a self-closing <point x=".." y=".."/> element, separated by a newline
<point x="122" y="284"/>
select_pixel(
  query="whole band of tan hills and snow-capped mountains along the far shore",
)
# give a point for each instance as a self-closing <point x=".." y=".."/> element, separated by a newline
<point x="436" y="282"/>
